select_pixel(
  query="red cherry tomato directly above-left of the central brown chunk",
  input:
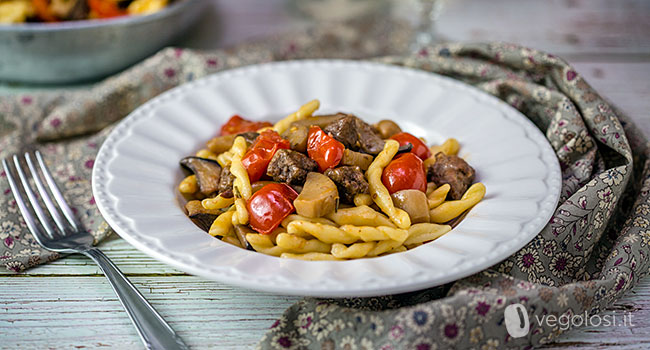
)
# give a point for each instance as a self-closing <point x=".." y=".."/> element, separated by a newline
<point x="258" y="157"/>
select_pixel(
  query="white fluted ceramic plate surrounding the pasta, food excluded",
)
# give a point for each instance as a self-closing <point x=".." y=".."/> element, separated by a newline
<point x="136" y="173"/>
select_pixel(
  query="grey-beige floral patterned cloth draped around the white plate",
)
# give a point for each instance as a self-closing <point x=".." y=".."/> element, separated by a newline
<point x="594" y="248"/>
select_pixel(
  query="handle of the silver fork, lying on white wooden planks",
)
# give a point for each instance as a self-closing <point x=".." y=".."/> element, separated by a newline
<point x="152" y="328"/>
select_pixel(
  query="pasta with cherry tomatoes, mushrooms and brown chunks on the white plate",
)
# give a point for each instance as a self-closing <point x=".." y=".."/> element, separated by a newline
<point x="326" y="187"/>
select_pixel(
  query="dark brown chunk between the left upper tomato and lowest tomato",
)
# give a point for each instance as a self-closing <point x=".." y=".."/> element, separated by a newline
<point x="290" y="167"/>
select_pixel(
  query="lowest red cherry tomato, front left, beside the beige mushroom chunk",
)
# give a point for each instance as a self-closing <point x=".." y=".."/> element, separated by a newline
<point x="269" y="206"/>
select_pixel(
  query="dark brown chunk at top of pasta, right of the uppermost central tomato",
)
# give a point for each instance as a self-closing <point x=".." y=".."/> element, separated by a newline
<point x="356" y="135"/>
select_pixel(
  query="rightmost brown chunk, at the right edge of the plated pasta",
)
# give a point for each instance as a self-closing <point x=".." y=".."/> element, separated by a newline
<point x="451" y="170"/>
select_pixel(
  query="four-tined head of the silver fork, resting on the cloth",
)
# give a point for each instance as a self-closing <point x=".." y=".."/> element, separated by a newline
<point x="44" y="219"/>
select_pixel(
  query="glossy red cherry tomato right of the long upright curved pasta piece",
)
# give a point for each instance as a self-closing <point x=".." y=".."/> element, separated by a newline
<point x="405" y="172"/>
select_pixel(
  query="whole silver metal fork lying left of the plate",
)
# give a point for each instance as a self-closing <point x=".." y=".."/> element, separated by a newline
<point x="69" y="237"/>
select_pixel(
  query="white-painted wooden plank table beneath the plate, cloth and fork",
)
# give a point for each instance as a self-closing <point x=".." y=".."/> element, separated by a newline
<point x="68" y="304"/>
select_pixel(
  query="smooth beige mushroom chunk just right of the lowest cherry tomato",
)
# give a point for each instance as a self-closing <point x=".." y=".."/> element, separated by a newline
<point x="318" y="198"/>
